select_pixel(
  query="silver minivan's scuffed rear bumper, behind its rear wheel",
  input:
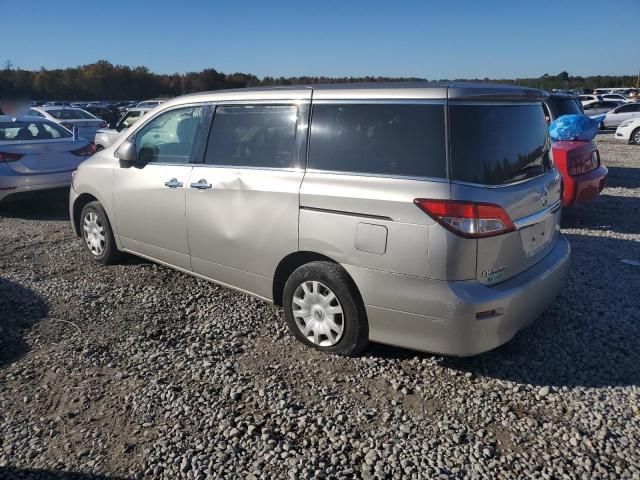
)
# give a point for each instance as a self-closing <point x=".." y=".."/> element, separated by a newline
<point x="437" y="316"/>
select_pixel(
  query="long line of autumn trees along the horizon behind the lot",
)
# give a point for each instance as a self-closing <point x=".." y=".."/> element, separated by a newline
<point x="103" y="80"/>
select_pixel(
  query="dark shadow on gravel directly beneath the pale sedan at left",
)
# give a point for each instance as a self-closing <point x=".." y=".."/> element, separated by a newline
<point x="45" y="205"/>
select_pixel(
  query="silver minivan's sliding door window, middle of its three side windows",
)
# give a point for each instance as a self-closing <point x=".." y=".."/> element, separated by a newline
<point x="258" y="136"/>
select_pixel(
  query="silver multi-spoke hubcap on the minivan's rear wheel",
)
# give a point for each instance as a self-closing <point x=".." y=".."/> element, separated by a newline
<point x="318" y="313"/>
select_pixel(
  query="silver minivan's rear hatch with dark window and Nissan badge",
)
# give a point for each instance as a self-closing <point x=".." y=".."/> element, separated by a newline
<point x="501" y="154"/>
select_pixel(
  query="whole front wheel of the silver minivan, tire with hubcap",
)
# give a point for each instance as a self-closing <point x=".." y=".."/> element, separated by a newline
<point x="97" y="235"/>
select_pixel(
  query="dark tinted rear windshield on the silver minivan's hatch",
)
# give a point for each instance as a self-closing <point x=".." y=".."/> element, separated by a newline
<point x="498" y="144"/>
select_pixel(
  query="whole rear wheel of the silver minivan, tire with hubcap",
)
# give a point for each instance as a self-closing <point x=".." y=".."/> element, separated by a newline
<point x="334" y="324"/>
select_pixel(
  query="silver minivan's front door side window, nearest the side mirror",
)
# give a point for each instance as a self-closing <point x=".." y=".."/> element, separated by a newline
<point x="170" y="137"/>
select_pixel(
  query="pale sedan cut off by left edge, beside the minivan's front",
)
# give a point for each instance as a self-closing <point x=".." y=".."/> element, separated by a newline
<point x="36" y="154"/>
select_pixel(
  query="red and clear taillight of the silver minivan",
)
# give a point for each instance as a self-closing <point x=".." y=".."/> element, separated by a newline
<point x="468" y="219"/>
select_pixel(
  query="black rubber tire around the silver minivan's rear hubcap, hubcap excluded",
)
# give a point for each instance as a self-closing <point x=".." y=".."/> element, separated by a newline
<point x="356" y="332"/>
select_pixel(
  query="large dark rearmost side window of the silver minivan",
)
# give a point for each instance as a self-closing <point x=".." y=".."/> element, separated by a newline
<point x="384" y="139"/>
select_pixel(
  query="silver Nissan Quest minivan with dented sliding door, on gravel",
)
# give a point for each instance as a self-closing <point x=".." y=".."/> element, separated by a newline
<point x="414" y="215"/>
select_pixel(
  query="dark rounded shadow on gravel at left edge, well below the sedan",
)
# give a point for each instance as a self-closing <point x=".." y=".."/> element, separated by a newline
<point x="20" y="308"/>
